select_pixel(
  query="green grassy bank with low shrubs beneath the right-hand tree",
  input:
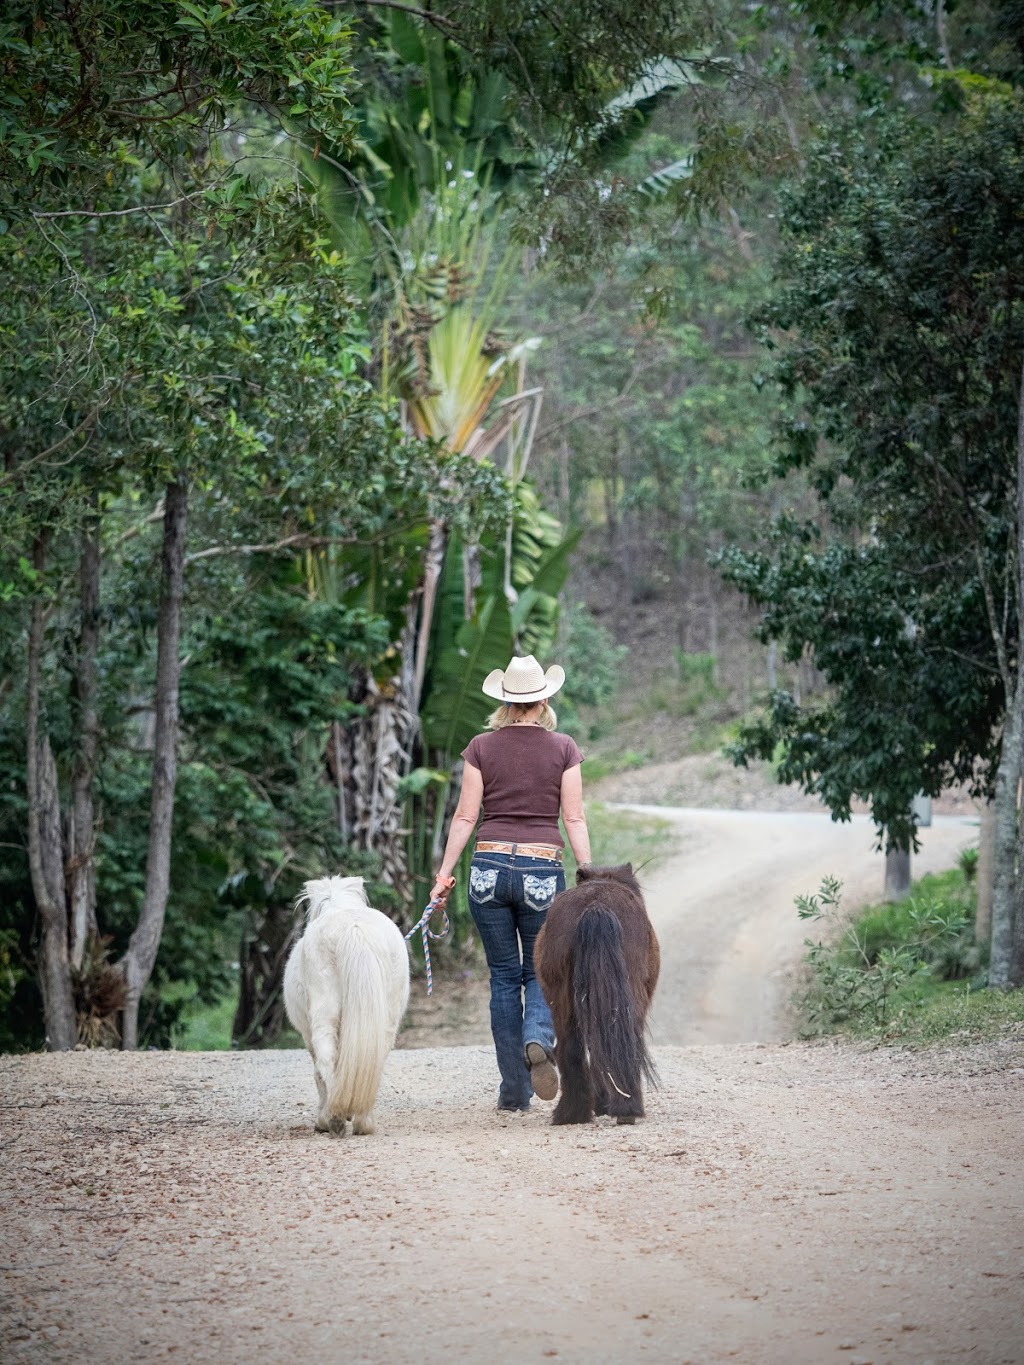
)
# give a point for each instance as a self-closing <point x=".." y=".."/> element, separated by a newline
<point x="907" y="973"/>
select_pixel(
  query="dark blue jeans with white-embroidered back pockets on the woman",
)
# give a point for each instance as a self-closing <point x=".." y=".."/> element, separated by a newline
<point x="509" y="899"/>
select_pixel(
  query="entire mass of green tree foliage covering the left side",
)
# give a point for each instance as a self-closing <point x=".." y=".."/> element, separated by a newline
<point x="170" y="311"/>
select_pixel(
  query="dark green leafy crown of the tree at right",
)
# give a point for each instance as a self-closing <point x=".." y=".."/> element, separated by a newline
<point x="899" y="341"/>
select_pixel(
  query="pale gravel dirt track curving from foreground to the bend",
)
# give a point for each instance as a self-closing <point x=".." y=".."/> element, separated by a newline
<point x="780" y="1203"/>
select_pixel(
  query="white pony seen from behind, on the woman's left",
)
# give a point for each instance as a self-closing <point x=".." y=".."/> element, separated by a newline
<point x="346" y="989"/>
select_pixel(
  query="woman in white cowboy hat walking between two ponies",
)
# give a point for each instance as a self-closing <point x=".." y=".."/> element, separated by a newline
<point x="525" y="775"/>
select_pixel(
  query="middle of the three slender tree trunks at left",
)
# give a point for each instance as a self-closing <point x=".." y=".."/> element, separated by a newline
<point x="83" y="831"/>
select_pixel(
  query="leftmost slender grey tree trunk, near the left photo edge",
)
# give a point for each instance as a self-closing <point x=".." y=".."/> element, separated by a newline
<point x="47" y="854"/>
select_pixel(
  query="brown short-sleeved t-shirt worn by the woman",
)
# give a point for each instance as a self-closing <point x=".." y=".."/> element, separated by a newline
<point x="522" y="768"/>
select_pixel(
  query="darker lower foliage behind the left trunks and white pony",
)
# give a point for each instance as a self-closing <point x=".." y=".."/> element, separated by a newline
<point x="268" y="670"/>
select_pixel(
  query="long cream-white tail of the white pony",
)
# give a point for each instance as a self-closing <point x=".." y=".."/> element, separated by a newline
<point x="365" y="1030"/>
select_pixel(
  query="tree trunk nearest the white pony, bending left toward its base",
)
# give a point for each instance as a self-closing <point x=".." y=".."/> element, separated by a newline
<point x="139" y="962"/>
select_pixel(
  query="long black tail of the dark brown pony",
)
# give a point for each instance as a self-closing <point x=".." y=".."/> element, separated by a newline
<point x="607" y="1018"/>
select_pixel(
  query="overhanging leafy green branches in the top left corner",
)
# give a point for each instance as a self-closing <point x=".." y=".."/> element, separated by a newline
<point x="151" y="73"/>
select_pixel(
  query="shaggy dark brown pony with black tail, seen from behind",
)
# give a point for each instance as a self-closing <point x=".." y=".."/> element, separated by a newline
<point x="597" y="960"/>
